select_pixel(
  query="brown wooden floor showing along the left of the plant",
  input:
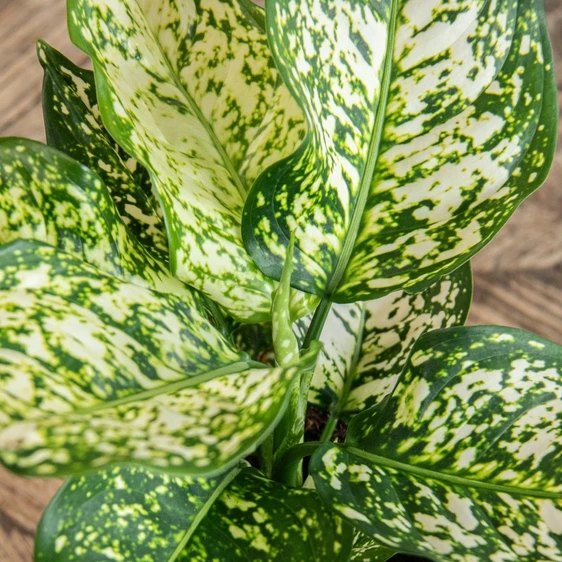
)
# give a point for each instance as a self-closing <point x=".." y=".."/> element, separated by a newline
<point x="22" y="22"/>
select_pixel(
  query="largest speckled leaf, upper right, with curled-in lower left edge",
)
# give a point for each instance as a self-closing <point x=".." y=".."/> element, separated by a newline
<point x="429" y="122"/>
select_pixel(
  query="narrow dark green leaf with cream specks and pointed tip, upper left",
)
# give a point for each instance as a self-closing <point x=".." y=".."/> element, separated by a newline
<point x="73" y="125"/>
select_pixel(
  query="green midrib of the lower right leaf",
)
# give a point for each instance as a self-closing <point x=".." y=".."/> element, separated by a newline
<point x="450" y="478"/>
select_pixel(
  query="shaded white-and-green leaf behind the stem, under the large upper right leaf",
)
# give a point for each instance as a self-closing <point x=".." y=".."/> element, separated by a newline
<point x="366" y="345"/>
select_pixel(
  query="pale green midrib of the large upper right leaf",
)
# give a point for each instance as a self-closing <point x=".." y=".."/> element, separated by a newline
<point x="370" y="165"/>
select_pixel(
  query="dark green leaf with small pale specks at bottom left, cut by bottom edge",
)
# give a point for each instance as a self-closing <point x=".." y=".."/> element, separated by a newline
<point x="128" y="512"/>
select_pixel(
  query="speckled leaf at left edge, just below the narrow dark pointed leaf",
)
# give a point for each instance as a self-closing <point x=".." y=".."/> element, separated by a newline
<point x="47" y="196"/>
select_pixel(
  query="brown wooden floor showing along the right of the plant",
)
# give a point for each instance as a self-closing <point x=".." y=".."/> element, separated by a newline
<point x="518" y="276"/>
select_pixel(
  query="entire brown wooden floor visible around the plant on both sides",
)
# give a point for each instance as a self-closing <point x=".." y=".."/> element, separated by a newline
<point x="518" y="276"/>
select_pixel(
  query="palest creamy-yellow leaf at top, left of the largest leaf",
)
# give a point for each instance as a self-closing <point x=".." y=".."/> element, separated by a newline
<point x="191" y="91"/>
